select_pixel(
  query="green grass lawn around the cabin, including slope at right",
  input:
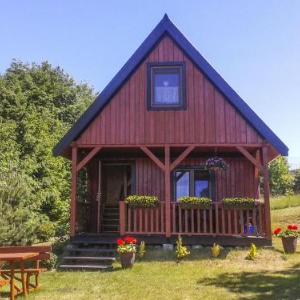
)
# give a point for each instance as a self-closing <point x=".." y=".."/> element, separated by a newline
<point x="272" y="275"/>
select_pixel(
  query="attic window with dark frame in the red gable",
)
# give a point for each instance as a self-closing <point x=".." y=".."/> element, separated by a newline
<point x="166" y="86"/>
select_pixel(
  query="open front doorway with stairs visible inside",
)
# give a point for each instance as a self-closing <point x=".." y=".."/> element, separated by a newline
<point x="116" y="184"/>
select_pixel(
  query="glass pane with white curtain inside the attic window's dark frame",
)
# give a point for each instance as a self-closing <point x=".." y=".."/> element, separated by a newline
<point x="166" y="88"/>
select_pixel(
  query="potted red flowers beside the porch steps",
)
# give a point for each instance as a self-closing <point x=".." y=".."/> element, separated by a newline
<point x="127" y="250"/>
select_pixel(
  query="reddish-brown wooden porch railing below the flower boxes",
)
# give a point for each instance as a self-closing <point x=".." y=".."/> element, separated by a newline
<point x="216" y="221"/>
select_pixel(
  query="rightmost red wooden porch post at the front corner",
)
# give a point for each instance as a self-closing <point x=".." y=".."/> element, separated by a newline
<point x="265" y="150"/>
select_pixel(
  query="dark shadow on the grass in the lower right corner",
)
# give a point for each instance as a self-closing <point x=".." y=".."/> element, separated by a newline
<point x="283" y="284"/>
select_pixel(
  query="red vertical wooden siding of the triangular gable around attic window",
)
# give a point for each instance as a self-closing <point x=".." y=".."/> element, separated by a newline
<point x="209" y="118"/>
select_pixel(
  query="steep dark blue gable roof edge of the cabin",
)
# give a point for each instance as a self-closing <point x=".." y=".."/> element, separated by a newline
<point x="165" y="26"/>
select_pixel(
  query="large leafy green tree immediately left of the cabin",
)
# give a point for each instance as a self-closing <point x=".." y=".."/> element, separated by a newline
<point x="38" y="104"/>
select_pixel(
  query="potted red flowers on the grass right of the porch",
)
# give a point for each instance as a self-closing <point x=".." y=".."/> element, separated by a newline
<point x="288" y="237"/>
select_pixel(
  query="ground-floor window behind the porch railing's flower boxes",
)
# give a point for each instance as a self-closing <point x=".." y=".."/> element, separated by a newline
<point x="193" y="182"/>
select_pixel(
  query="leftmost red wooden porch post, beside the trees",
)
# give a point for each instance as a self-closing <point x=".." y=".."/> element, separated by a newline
<point x="73" y="191"/>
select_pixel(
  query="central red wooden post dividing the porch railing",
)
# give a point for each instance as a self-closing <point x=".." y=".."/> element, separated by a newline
<point x="167" y="192"/>
